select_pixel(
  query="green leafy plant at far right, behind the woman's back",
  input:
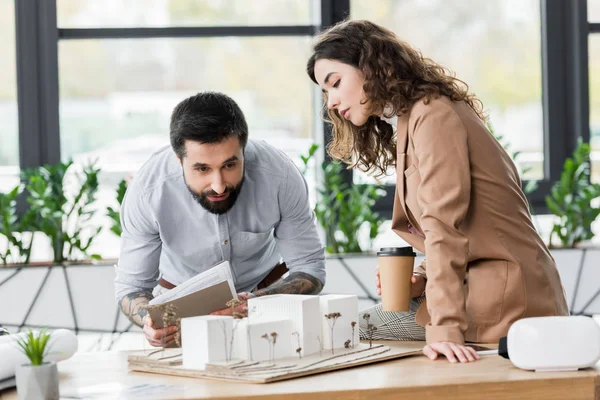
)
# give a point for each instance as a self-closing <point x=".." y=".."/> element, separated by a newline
<point x="570" y="200"/>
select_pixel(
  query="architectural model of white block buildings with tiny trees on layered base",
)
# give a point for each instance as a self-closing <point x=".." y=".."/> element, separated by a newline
<point x="283" y="337"/>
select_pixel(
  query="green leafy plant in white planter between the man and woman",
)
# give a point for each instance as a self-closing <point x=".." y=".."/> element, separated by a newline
<point x="343" y="212"/>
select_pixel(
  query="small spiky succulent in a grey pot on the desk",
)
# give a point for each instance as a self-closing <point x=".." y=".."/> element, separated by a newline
<point x="38" y="379"/>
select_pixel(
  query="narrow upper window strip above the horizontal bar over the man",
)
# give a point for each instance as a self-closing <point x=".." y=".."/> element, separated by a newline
<point x="165" y="13"/>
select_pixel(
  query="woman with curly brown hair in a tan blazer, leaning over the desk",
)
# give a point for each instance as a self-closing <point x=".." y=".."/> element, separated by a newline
<point x="458" y="194"/>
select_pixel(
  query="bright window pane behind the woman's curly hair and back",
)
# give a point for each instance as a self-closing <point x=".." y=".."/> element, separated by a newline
<point x="494" y="46"/>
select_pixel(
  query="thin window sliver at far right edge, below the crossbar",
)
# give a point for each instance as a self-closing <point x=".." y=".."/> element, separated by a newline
<point x="594" y="81"/>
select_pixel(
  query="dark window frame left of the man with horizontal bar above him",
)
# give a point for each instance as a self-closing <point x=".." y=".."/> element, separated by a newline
<point x="38" y="75"/>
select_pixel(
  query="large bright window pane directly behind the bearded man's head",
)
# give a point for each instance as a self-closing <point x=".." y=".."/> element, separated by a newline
<point x="116" y="96"/>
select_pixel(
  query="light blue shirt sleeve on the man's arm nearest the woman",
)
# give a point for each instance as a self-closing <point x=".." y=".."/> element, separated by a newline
<point x="296" y="233"/>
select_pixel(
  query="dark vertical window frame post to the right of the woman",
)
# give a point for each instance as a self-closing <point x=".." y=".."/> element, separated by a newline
<point x="565" y="94"/>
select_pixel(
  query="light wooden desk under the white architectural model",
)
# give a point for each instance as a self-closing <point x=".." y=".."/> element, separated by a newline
<point x="412" y="378"/>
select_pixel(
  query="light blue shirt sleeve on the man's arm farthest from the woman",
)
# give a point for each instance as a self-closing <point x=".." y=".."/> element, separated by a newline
<point x="138" y="266"/>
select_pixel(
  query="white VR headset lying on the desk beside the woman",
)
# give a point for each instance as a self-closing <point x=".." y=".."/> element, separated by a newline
<point x="552" y="343"/>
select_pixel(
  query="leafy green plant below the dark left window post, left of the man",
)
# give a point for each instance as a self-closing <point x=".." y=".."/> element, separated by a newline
<point x="64" y="219"/>
